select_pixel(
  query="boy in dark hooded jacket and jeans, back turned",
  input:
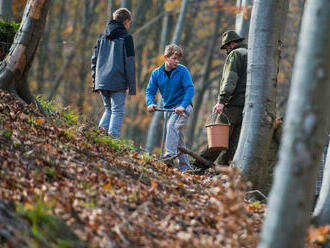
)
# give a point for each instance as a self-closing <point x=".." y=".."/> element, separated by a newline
<point x="113" y="70"/>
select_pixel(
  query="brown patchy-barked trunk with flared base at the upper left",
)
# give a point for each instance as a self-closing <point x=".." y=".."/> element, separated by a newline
<point x="15" y="68"/>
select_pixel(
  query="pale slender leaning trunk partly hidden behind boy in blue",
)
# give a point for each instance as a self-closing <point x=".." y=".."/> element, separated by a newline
<point x="152" y="132"/>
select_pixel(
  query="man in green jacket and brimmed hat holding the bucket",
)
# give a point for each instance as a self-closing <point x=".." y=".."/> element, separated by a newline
<point x="231" y="97"/>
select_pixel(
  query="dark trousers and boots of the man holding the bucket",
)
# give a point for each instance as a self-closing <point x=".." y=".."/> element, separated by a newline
<point x="224" y="157"/>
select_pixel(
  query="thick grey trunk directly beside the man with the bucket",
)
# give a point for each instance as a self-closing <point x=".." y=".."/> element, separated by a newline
<point x="268" y="19"/>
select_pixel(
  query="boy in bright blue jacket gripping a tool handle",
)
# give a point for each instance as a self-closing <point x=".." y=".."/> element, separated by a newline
<point x="174" y="82"/>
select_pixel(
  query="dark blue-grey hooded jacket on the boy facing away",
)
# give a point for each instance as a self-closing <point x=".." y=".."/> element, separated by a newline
<point x="113" y="62"/>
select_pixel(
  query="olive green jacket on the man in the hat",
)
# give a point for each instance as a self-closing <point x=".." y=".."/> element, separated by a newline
<point x="233" y="82"/>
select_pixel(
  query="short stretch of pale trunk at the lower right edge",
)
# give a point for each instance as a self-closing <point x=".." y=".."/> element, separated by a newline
<point x="322" y="209"/>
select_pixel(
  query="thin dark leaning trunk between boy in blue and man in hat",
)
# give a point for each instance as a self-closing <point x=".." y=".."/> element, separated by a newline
<point x="204" y="81"/>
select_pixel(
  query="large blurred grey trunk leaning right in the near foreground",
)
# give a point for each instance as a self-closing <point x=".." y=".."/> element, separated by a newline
<point x="306" y="126"/>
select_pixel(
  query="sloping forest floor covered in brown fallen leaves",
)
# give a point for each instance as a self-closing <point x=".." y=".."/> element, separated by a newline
<point x="61" y="174"/>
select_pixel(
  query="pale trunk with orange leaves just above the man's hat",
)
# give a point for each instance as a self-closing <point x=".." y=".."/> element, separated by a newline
<point x="243" y="17"/>
